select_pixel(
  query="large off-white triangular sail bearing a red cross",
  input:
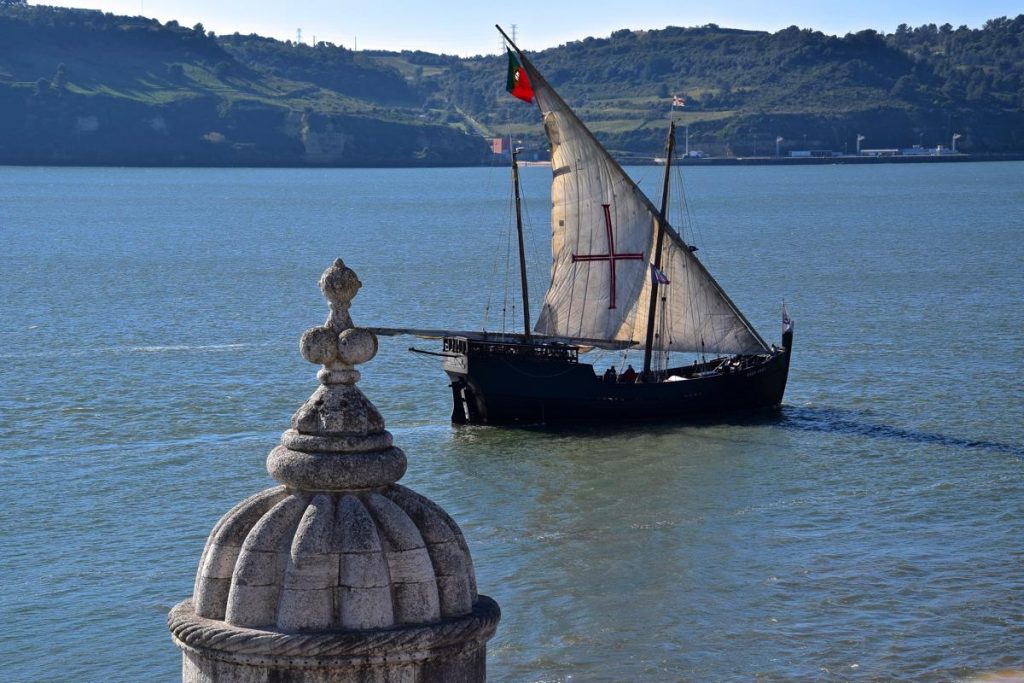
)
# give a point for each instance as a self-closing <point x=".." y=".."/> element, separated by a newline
<point x="604" y="230"/>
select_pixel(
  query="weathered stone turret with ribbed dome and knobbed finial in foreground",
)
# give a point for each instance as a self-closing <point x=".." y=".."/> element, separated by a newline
<point x="339" y="575"/>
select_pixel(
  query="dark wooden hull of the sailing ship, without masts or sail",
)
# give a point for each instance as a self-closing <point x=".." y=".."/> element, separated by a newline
<point x="495" y="382"/>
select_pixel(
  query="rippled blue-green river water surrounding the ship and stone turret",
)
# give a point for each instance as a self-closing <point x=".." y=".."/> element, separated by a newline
<point x="872" y="531"/>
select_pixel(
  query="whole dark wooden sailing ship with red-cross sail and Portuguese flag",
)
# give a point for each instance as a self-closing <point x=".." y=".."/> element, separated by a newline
<point x="622" y="279"/>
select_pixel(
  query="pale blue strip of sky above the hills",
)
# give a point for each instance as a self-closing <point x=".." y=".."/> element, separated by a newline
<point x="467" y="28"/>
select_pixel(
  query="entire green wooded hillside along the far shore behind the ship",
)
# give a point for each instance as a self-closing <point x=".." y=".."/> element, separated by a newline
<point x="83" y="88"/>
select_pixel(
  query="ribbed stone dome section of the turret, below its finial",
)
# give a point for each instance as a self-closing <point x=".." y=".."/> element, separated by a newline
<point x="305" y="562"/>
